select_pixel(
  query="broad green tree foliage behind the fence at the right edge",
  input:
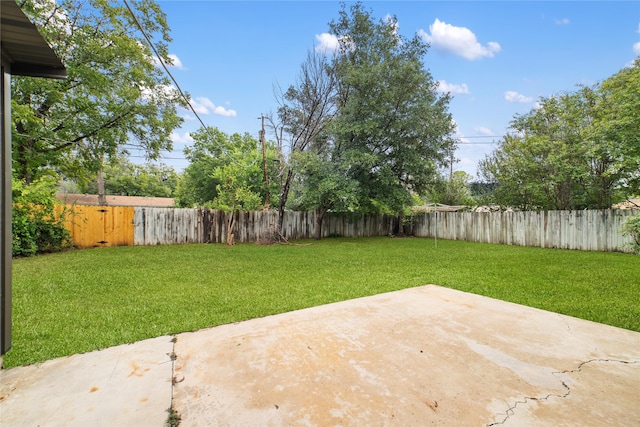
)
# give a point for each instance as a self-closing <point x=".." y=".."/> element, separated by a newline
<point x="578" y="150"/>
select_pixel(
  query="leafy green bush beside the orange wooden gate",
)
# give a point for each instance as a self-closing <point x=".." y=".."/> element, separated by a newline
<point x="37" y="227"/>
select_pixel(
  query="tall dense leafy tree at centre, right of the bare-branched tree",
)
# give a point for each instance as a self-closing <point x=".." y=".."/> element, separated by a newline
<point x="392" y="126"/>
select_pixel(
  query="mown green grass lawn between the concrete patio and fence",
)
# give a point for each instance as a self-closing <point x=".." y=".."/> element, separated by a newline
<point x="83" y="300"/>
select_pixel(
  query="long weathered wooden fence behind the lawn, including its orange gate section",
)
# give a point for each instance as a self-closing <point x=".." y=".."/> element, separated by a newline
<point x="591" y="230"/>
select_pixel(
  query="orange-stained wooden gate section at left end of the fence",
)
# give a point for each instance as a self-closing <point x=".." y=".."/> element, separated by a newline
<point x="95" y="226"/>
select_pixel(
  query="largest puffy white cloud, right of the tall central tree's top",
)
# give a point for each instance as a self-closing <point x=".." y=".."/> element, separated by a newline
<point x="459" y="41"/>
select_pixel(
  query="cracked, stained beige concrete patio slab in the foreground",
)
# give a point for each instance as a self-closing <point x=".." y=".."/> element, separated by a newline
<point x="416" y="357"/>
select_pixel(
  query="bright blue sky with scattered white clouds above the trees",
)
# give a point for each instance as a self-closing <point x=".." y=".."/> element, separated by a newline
<point x="496" y="58"/>
